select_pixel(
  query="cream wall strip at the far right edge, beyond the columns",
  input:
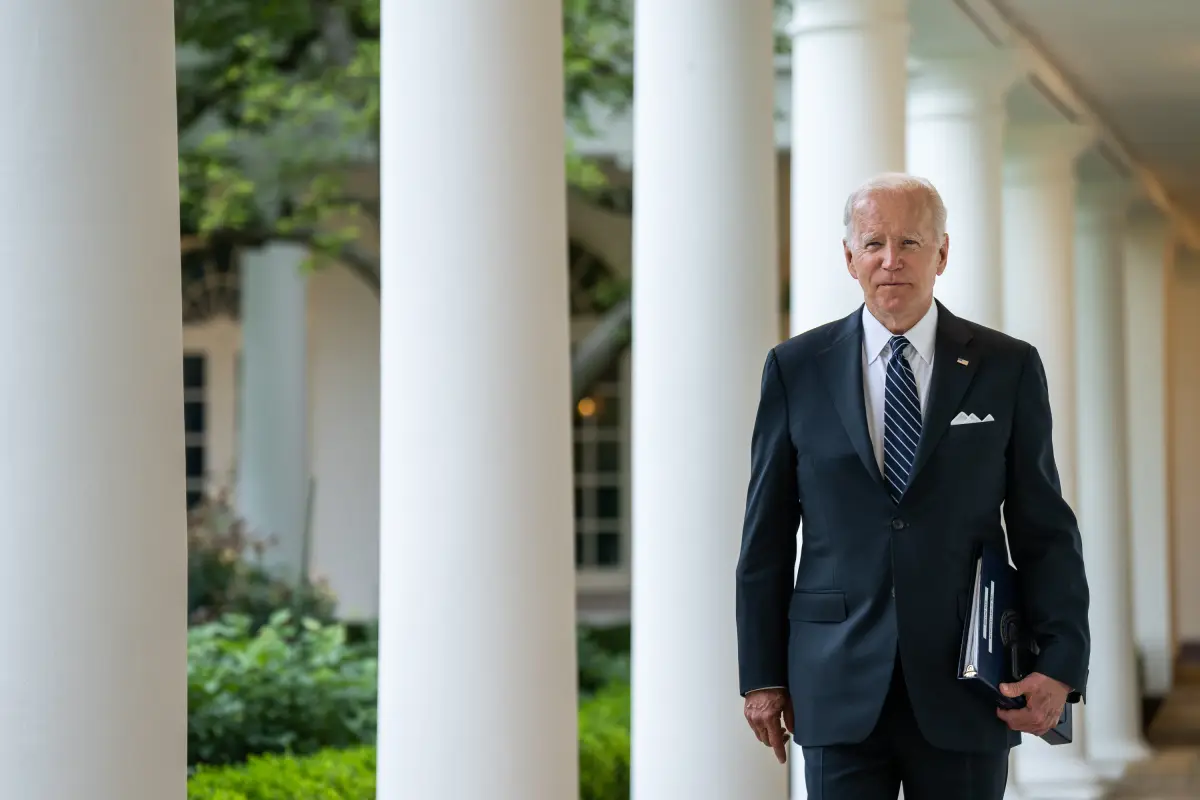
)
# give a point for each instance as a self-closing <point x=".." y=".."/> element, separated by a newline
<point x="1184" y="441"/>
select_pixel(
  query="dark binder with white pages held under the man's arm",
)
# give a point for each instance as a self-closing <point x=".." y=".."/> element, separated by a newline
<point x="997" y="647"/>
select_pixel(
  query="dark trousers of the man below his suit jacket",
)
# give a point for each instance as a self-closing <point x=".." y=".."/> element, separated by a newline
<point x="897" y="754"/>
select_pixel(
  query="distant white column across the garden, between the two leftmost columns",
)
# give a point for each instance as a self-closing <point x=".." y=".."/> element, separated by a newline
<point x="274" y="467"/>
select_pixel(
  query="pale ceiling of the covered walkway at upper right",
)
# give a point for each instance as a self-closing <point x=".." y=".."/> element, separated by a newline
<point x="1136" y="64"/>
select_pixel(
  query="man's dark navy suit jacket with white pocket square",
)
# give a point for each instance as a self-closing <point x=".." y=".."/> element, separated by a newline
<point x="877" y="576"/>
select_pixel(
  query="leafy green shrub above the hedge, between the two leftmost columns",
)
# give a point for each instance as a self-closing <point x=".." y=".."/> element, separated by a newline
<point x="295" y="688"/>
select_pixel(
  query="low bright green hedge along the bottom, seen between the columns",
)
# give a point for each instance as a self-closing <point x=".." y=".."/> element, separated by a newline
<point x="350" y="774"/>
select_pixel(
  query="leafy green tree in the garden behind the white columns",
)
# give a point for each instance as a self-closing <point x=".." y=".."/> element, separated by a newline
<point x="279" y="122"/>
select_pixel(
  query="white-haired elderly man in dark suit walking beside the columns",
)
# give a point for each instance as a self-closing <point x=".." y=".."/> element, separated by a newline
<point x="857" y="657"/>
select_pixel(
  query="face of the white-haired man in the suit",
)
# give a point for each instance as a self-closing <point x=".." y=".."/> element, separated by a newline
<point x="895" y="255"/>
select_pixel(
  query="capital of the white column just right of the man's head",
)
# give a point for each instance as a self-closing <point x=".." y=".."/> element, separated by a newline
<point x="961" y="86"/>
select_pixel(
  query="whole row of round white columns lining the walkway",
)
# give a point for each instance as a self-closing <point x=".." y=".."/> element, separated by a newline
<point x="477" y="610"/>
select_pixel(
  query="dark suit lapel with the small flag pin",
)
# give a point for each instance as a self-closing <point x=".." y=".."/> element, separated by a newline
<point x="955" y="366"/>
